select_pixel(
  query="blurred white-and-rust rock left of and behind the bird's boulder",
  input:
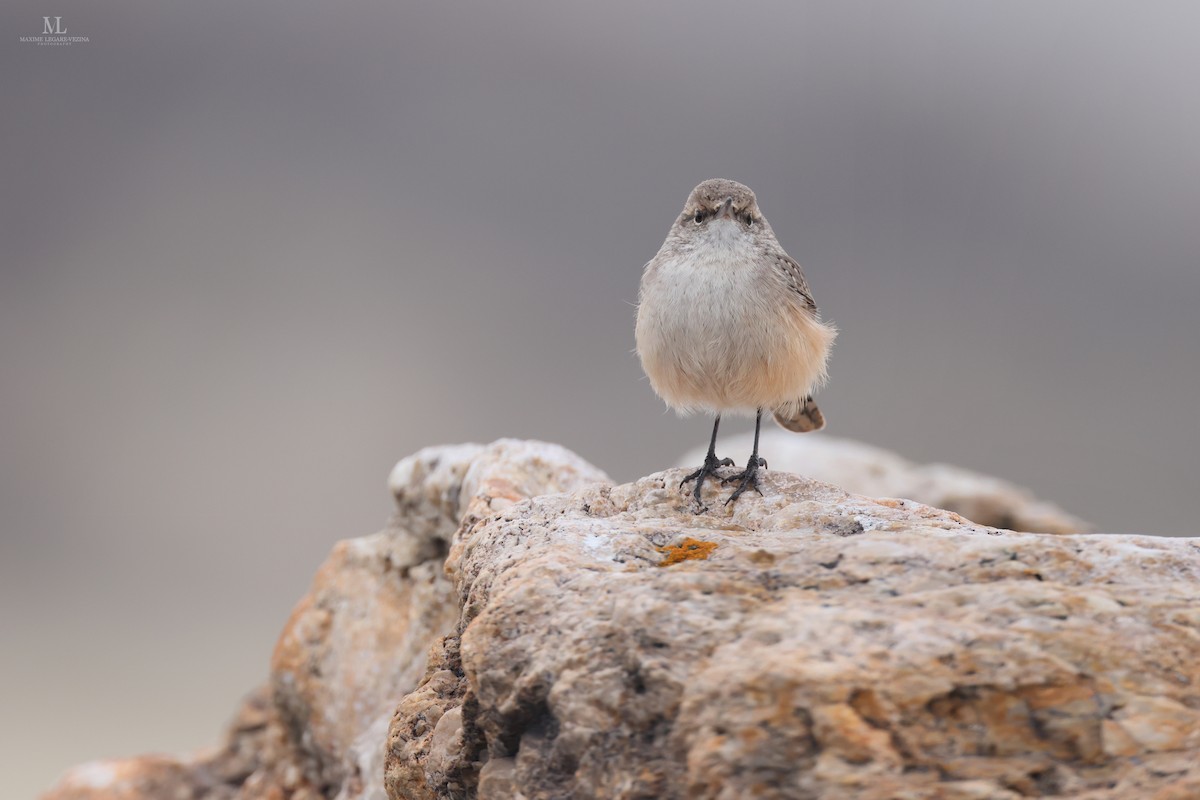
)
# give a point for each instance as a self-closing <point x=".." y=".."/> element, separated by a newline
<point x="355" y="646"/>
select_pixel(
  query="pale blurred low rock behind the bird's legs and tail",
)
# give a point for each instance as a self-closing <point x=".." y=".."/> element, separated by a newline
<point x="879" y="473"/>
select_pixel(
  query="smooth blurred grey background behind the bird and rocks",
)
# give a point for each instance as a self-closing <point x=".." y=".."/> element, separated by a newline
<point x="255" y="254"/>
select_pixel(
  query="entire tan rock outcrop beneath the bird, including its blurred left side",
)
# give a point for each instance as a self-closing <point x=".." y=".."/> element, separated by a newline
<point x="524" y="629"/>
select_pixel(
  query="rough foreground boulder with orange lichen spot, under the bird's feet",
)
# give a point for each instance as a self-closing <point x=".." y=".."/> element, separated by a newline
<point x="809" y="643"/>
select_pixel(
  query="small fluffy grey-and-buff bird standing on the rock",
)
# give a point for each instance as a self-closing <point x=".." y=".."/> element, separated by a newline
<point x="727" y="323"/>
